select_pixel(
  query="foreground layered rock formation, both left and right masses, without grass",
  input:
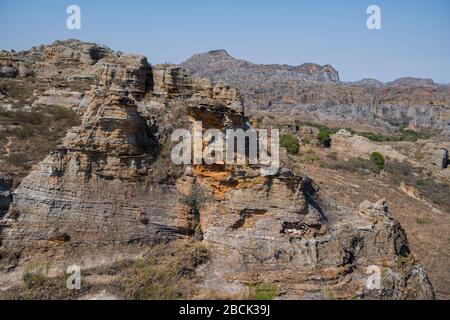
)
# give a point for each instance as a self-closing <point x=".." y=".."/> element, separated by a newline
<point x="100" y="189"/>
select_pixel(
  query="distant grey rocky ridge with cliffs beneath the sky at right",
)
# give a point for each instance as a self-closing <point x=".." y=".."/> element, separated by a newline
<point x="316" y="94"/>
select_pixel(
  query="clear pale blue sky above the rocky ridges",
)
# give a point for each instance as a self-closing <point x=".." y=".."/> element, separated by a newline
<point x="414" y="41"/>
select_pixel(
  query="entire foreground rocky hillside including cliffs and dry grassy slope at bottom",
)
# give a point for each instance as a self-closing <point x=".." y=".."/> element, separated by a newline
<point x="109" y="199"/>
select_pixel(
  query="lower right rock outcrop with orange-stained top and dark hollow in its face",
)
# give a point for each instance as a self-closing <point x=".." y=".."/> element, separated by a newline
<point x="309" y="252"/>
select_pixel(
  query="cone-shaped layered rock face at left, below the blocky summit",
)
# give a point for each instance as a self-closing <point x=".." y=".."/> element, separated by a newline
<point x="90" y="189"/>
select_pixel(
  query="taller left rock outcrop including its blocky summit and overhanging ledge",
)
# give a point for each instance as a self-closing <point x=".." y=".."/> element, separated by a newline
<point x="101" y="177"/>
